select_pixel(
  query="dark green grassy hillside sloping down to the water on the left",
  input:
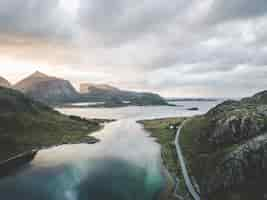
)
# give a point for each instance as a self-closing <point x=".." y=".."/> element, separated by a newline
<point x="26" y="125"/>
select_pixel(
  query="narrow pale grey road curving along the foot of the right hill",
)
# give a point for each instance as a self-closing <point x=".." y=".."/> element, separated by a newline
<point x="187" y="179"/>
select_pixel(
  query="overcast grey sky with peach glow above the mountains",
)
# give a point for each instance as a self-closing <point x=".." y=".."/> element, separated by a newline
<point x="180" y="48"/>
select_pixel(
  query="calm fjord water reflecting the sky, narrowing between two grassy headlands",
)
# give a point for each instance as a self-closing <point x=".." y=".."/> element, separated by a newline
<point x="125" y="165"/>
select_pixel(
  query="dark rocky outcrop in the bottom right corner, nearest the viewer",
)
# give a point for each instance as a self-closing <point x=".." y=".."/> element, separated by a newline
<point x="243" y="167"/>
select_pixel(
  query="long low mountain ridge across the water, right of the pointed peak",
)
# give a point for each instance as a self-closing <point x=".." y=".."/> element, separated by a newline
<point x="113" y="96"/>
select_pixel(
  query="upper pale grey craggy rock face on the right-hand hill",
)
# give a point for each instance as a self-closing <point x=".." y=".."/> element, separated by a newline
<point x="236" y="125"/>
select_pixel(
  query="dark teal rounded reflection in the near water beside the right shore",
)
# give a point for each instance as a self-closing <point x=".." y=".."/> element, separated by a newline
<point x="117" y="179"/>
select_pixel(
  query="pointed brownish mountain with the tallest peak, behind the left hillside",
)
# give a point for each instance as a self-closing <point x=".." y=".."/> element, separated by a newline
<point x="47" y="89"/>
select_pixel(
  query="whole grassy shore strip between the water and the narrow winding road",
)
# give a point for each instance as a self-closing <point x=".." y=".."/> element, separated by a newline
<point x="164" y="130"/>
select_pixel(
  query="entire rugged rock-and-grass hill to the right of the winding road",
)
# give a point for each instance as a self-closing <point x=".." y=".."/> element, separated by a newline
<point x="226" y="149"/>
